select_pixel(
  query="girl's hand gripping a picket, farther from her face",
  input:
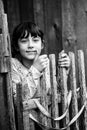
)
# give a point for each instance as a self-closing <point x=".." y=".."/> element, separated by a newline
<point x="64" y="60"/>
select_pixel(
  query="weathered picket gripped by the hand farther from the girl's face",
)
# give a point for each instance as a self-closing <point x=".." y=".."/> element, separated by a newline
<point x="62" y="83"/>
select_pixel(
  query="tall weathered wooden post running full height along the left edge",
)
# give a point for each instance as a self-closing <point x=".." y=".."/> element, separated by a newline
<point x="7" y="109"/>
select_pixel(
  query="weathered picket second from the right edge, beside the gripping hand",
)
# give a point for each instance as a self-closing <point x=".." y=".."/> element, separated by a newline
<point x="73" y="87"/>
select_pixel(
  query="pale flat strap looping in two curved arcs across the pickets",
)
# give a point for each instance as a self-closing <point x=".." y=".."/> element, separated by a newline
<point x="44" y="127"/>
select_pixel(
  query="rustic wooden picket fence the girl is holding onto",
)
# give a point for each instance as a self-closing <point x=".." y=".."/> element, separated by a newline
<point x="64" y="107"/>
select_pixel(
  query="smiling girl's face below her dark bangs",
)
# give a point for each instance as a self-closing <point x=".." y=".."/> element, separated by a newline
<point x="30" y="48"/>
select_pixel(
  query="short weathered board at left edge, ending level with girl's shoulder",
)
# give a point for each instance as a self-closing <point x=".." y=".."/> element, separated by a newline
<point x="4" y="53"/>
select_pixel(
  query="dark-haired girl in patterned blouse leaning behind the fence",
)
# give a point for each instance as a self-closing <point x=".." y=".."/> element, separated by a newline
<point x="27" y="62"/>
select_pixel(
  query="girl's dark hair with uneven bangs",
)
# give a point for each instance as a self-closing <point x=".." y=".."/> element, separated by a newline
<point x="20" y="33"/>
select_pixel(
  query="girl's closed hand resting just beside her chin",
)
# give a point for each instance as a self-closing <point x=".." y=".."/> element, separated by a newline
<point x="41" y="63"/>
